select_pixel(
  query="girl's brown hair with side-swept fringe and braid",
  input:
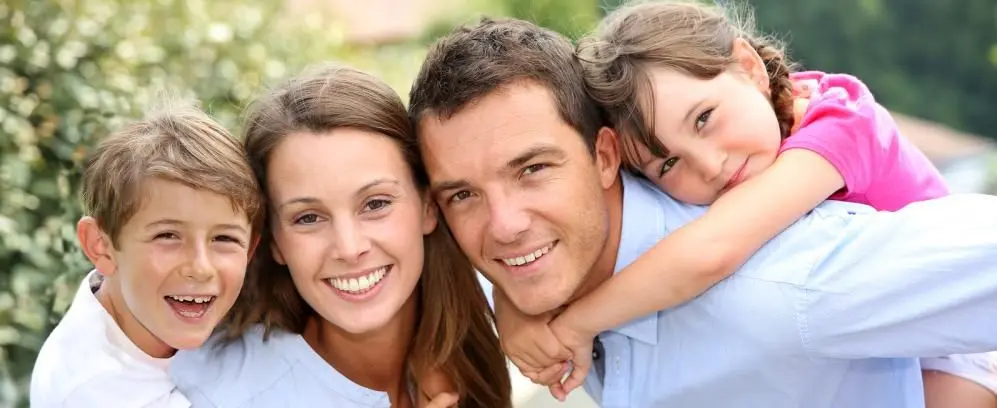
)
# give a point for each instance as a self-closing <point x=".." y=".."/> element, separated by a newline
<point x="689" y="37"/>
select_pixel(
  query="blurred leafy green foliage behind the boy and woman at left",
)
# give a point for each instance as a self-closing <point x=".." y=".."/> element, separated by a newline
<point x="73" y="70"/>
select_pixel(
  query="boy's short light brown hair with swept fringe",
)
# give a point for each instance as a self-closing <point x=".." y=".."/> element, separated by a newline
<point x="178" y="142"/>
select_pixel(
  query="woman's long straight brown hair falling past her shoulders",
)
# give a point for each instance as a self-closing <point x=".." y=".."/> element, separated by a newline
<point x="454" y="334"/>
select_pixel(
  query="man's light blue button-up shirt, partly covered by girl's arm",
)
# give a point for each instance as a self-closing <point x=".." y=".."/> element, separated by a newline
<point x="830" y="314"/>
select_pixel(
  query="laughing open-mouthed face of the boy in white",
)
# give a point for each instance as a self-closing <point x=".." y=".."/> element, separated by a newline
<point x="179" y="265"/>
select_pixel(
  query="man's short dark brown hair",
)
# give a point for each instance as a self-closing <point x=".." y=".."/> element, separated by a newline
<point x="473" y="61"/>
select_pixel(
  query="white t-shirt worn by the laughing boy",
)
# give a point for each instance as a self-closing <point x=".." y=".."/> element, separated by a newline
<point x="88" y="361"/>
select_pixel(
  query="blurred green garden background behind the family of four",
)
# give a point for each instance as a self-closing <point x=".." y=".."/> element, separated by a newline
<point x="72" y="70"/>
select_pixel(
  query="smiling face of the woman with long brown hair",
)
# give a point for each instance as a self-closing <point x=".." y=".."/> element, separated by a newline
<point x="348" y="221"/>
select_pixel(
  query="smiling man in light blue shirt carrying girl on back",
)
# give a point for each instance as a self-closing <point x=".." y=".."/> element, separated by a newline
<point x="828" y="314"/>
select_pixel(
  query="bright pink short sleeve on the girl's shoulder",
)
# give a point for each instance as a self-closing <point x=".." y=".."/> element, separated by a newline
<point x="844" y="127"/>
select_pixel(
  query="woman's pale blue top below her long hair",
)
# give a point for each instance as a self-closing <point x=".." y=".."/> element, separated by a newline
<point x="284" y="371"/>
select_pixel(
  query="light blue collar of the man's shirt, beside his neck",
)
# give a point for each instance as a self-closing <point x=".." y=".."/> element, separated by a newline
<point x="643" y="226"/>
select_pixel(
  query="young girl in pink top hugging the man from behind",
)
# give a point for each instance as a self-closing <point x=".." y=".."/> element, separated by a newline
<point x="706" y="111"/>
